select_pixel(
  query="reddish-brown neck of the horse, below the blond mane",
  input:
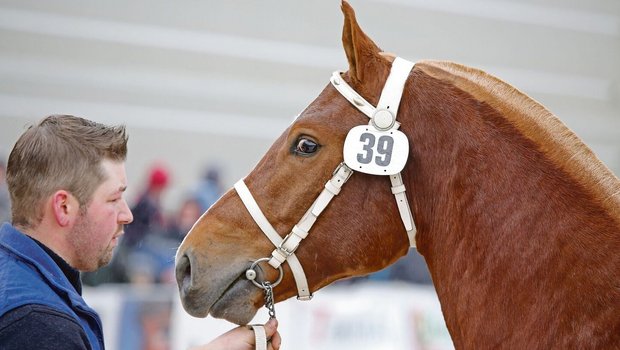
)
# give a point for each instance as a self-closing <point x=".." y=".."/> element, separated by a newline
<point x="514" y="246"/>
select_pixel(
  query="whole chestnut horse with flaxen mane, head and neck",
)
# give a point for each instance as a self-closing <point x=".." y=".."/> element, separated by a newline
<point x="518" y="220"/>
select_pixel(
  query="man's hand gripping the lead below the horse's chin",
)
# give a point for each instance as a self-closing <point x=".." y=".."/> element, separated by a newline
<point x="242" y="338"/>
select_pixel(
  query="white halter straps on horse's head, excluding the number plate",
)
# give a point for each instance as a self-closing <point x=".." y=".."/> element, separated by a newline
<point x="382" y="117"/>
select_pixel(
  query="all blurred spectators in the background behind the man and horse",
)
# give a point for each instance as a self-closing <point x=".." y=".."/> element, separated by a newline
<point x="146" y="252"/>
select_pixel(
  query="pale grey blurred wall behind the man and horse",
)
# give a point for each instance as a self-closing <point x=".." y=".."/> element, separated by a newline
<point x="216" y="81"/>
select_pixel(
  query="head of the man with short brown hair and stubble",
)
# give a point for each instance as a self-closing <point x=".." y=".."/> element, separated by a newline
<point x="66" y="177"/>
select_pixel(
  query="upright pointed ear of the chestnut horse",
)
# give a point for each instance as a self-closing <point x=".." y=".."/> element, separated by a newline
<point x="361" y="51"/>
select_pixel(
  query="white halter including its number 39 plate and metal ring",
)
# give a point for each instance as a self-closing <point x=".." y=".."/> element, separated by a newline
<point x="378" y="148"/>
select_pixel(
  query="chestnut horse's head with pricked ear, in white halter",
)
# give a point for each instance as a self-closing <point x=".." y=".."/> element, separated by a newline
<point x="360" y="232"/>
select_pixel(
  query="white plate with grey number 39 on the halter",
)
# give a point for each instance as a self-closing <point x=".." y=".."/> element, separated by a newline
<point x="375" y="152"/>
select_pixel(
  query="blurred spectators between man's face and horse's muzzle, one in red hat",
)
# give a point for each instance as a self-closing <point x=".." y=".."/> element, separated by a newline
<point x="146" y="251"/>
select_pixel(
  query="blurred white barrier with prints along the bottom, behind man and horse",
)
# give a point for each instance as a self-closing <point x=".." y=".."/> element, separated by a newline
<point x="378" y="316"/>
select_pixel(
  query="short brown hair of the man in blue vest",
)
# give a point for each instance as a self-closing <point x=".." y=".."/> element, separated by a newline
<point x="60" y="152"/>
